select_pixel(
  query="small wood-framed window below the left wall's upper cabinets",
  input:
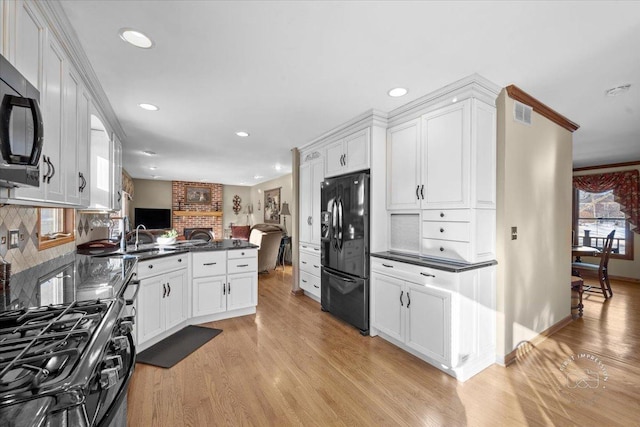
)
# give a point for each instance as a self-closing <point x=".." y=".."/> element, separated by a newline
<point x="55" y="227"/>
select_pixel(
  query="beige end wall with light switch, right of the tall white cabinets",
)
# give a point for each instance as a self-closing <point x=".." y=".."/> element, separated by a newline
<point x="534" y="194"/>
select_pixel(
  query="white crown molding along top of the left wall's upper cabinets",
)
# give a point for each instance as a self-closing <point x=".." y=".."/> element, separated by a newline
<point x="59" y="24"/>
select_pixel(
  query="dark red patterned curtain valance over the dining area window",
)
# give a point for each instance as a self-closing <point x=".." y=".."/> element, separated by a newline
<point x="626" y="191"/>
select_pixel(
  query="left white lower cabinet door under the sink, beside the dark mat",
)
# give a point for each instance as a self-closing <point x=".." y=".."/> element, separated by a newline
<point x="150" y="305"/>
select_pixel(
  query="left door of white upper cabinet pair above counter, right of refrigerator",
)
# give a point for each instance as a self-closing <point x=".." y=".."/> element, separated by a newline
<point x="403" y="166"/>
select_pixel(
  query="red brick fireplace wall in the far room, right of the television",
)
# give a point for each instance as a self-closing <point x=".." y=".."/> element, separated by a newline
<point x="196" y="214"/>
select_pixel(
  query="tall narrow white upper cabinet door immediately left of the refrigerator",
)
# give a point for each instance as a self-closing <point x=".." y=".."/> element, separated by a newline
<point x="311" y="177"/>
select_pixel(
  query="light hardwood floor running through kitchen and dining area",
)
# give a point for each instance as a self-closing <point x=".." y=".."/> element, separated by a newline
<point x="292" y="364"/>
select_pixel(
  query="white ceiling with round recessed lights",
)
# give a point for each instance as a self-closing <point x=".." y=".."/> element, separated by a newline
<point x="289" y="71"/>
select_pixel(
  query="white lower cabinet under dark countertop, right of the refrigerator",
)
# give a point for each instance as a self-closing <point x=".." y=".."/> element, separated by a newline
<point x="445" y="318"/>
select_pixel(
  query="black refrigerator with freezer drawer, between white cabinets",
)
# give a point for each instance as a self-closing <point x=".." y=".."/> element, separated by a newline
<point x="345" y="248"/>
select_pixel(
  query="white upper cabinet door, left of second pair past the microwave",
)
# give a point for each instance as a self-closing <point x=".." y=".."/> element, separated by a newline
<point x="70" y="143"/>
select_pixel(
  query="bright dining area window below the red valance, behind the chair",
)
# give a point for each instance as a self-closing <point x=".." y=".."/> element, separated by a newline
<point x="597" y="214"/>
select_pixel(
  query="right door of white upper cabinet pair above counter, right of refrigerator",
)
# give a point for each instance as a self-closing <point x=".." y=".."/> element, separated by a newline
<point x="446" y="154"/>
